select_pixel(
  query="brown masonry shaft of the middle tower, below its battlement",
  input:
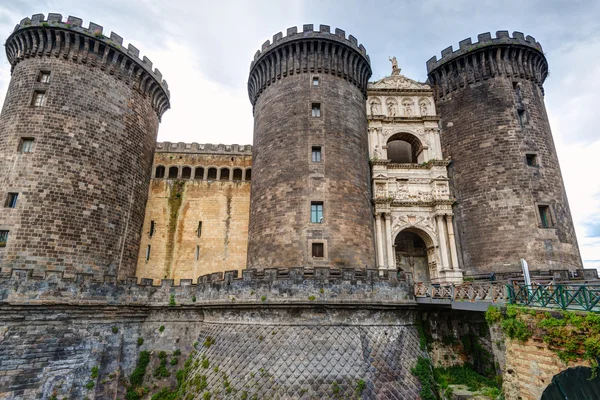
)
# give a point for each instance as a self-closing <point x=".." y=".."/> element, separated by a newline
<point x="285" y="180"/>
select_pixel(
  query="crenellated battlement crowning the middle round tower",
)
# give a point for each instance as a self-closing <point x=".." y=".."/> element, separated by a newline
<point x="309" y="51"/>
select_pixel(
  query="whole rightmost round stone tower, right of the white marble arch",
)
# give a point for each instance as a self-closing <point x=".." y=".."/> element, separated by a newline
<point x="511" y="201"/>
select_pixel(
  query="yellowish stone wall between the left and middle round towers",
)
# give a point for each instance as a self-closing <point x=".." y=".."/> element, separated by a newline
<point x="176" y="207"/>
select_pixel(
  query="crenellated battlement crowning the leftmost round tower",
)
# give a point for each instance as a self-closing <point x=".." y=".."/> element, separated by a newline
<point x="37" y="36"/>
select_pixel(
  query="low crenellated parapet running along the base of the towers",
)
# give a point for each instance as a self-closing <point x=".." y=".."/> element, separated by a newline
<point x="21" y="286"/>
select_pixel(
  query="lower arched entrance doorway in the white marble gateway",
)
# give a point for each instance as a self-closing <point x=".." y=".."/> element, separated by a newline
<point x="411" y="255"/>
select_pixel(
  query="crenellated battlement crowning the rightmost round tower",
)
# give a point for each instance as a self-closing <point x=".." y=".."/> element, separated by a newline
<point x="519" y="57"/>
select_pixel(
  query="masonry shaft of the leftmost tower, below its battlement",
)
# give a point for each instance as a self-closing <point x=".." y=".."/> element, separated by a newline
<point x="83" y="188"/>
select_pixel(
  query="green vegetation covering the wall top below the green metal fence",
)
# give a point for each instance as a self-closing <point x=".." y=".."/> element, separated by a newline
<point x="570" y="334"/>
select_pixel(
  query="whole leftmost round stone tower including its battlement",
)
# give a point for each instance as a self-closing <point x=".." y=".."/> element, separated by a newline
<point x="77" y="136"/>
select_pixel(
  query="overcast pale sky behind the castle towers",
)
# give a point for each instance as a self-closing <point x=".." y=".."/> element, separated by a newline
<point x="204" y="49"/>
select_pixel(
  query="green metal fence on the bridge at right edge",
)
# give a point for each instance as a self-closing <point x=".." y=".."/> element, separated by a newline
<point x="566" y="297"/>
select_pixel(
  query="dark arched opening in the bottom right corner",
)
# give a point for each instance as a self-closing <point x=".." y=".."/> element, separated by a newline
<point x="573" y="384"/>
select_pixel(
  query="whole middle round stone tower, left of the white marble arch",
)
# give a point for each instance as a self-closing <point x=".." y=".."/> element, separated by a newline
<point x="310" y="198"/>
